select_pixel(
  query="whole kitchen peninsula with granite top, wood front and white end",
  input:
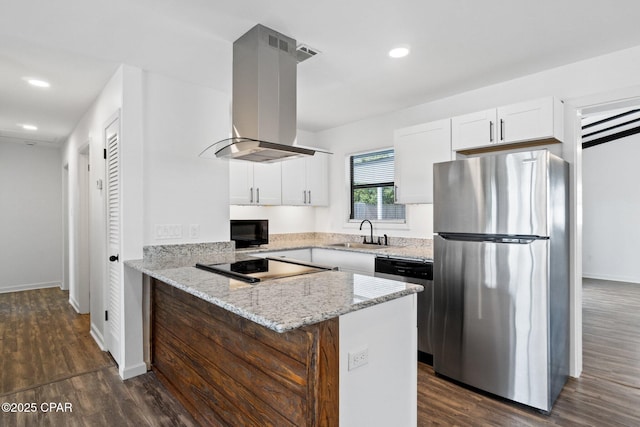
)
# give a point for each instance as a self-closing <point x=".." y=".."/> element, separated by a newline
<point x="325" y="348"/>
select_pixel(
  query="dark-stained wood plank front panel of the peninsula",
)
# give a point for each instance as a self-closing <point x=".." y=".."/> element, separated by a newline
<point x="227" y="370"/>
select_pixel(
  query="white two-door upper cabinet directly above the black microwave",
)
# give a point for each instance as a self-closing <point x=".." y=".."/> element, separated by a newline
<point x="254" y="183"/>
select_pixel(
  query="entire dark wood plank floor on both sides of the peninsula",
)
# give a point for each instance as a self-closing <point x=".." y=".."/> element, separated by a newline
<point x="49" y="356"/>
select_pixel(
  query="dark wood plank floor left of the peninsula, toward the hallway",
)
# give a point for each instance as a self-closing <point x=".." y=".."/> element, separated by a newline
<point x="48" y="356"/>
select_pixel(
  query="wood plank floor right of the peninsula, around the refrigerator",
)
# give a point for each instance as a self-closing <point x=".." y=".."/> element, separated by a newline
<point x="606" y="394"/>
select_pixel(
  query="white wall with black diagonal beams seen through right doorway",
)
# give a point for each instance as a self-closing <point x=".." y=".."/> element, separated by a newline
<point x="611" y="201"/>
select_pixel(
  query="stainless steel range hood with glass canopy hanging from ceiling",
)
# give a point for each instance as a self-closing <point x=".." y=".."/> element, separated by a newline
<point x="264" y="100"/>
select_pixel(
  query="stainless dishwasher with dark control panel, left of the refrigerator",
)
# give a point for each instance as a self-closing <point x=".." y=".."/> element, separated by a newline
<point x="417" y="271"/>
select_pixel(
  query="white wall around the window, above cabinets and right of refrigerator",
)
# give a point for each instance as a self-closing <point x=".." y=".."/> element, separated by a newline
<point x="577" y="83"/>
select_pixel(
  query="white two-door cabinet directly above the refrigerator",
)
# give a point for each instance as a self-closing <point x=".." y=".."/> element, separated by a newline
<point x="533" y="122"/>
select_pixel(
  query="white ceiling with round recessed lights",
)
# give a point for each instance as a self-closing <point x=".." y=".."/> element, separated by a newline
<point x="456" y="45"/>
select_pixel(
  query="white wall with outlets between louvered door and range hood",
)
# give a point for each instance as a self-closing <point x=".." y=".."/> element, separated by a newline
<point x="166" y="124"/>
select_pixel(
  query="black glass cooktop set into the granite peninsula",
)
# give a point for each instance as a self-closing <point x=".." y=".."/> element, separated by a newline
<point x="258" y="269"/>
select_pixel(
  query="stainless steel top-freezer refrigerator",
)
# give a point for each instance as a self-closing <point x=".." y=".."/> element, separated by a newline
<point x="501" y="274"/>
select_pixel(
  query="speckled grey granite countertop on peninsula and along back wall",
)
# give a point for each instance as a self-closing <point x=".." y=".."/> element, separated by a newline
<point x="279" y="304"/>
